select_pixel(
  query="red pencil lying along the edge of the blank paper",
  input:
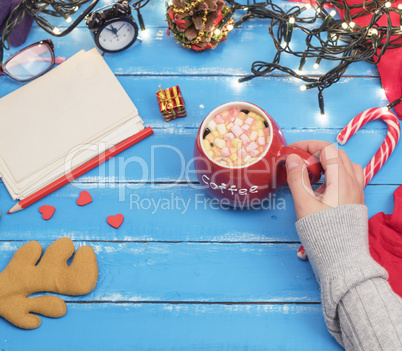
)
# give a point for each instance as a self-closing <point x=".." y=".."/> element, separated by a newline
<point x="96" y="161"/>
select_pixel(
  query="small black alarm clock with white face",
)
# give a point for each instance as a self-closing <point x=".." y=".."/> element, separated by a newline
<point x="114" y="28"/>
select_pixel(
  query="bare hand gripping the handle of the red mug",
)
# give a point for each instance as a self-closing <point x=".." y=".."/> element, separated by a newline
<point x="344" y="180"/>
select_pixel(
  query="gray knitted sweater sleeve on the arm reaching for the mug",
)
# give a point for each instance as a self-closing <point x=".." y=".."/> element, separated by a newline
<point x="360" y="309"/>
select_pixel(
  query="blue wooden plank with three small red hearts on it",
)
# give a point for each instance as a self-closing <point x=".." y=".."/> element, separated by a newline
<point x="158" y="213"/>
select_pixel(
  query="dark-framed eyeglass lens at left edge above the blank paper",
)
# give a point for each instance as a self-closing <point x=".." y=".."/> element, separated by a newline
<point x="31" y="62"/>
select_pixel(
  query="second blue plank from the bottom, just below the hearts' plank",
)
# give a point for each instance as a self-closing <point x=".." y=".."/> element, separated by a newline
<point x="202" y="272"/>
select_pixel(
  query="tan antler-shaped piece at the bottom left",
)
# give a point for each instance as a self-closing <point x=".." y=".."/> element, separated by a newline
<point x="24" y="276"/>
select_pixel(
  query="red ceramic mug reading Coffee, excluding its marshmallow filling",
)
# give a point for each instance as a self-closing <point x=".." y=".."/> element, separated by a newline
<point x="250" y="184"/>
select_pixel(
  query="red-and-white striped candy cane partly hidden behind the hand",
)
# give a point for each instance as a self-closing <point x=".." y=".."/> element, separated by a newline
<point x="383" y="153"/>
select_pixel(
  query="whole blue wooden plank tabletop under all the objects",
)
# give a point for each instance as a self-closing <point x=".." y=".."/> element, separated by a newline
<point x="180" y="273"/>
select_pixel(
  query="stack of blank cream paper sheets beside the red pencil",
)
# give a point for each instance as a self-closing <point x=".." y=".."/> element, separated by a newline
<point x="60" y="121"/>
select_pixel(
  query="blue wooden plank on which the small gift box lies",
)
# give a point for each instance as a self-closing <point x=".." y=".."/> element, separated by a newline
<point x="203" y="94"/>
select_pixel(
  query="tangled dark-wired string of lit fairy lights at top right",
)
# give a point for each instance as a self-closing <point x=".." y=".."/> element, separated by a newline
<point x="326" y="38"/>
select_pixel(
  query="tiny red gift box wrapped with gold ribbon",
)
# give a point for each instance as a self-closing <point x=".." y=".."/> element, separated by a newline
<point x="171" y="103"/>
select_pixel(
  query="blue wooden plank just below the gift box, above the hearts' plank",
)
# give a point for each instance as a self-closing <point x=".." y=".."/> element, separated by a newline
<point x="167" y="156"/>
